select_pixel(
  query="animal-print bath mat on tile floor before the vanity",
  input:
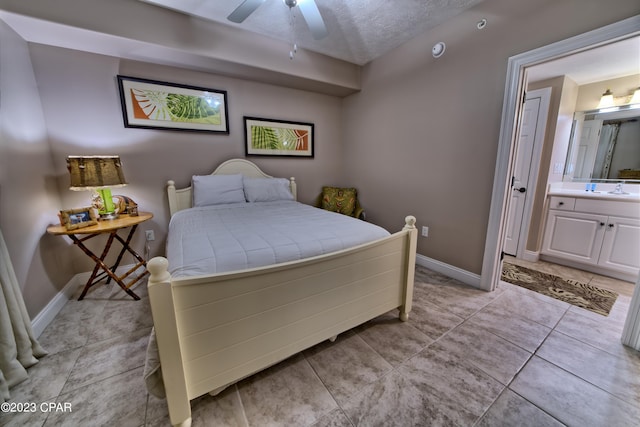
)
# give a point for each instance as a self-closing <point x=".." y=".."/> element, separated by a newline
<point x="579" y="294"/>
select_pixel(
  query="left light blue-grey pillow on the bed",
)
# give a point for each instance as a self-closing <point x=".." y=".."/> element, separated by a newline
<point x="217" y="189"/>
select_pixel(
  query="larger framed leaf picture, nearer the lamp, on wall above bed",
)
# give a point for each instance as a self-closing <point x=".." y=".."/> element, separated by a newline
<point x="152" y="104"/>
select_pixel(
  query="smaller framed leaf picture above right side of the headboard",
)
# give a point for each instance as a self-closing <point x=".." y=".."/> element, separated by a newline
<point x="265" y="137"/>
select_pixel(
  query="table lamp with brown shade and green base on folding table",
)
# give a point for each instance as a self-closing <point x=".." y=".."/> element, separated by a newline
<point x="97" y="173"/>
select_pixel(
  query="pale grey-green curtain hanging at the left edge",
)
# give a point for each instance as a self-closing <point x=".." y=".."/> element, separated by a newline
<point x="18" y="347"/>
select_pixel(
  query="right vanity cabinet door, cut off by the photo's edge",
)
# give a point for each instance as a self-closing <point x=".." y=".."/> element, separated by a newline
<point x="621" y="245"/>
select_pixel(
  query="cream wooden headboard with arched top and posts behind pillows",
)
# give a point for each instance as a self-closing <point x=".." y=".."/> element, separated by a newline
<point x="180" y="199"/>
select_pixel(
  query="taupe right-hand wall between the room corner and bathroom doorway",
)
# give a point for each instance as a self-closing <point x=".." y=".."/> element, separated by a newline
<point x="422" y="135"/>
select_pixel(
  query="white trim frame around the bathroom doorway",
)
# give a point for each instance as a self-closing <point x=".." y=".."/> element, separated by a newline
<point x="516" y="79"/>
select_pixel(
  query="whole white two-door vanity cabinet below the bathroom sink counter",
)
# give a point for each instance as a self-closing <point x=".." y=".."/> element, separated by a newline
<point x="597" y="235"/>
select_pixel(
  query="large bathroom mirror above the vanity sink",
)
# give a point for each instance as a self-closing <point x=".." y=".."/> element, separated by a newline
<point x="604" y="147"/>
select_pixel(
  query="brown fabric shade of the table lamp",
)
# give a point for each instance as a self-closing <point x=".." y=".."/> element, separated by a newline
<point x="95" y="172"/>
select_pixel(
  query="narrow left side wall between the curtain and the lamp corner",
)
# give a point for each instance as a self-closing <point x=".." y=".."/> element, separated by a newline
<point x="28" y="195"/>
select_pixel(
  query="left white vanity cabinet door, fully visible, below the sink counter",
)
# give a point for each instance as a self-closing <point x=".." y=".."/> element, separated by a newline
<point x="574" y="235"/>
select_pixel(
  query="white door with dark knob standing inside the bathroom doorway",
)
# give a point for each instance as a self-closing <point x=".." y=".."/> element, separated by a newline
<point x="530" y="135"/>
